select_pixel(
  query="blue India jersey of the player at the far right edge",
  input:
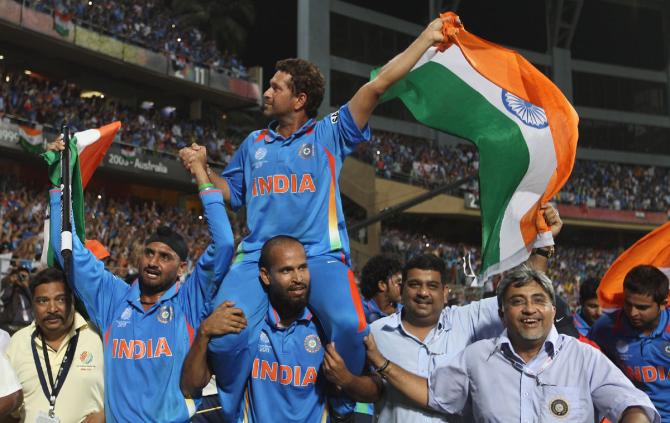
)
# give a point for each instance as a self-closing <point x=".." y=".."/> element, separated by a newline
<point x="644" y="359"/>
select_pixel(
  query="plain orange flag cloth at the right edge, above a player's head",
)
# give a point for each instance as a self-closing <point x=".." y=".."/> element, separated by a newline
<point x="652" y="249"/>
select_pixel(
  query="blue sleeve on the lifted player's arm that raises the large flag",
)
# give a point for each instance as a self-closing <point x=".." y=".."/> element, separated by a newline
<point x="340" y="133"/>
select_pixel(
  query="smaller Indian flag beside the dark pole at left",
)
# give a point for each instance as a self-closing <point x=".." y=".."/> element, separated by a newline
<point x="87" y="149"/>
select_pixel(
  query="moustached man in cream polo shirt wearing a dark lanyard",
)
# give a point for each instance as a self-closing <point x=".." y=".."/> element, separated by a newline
<point x="58" y="358"/>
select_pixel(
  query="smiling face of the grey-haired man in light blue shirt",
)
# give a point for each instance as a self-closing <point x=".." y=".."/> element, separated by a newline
<point x="528" y="313"/>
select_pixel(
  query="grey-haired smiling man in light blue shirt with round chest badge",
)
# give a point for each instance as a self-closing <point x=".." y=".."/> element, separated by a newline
<point x="529" y="373"/>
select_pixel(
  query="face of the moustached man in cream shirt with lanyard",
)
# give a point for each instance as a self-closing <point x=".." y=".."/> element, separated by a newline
<point x="53" y="308"/>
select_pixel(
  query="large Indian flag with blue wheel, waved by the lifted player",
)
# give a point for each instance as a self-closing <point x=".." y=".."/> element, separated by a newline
<point x="523" y="126"/>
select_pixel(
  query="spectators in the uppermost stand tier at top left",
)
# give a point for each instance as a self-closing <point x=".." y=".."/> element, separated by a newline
<point x="149" y="25"/>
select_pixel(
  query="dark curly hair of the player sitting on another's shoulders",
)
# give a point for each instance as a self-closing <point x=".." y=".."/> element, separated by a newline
<point x="305" y="78"/>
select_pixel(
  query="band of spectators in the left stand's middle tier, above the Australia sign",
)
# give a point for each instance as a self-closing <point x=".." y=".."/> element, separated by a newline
<point x="42" y="102"/>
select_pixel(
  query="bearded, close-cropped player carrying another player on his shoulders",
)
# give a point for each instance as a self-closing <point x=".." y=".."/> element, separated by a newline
<point x="285" y="384"/>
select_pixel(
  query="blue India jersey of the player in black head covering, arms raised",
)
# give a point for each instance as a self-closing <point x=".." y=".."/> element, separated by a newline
<point x="145" y="350"/>
